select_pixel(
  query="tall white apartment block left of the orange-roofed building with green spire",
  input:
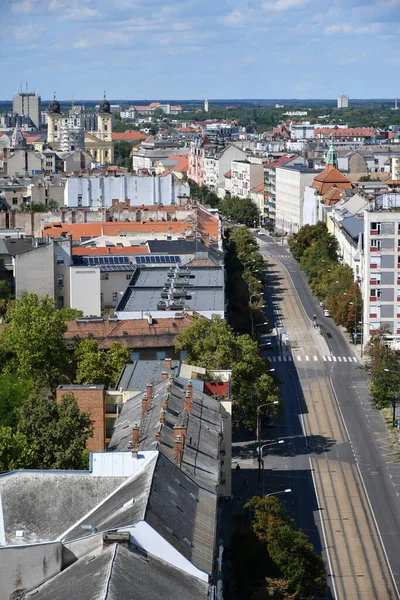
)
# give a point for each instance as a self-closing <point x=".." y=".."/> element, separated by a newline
<point x="291" y="182"/>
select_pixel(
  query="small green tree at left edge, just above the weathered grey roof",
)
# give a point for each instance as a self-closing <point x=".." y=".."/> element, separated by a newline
<point x="16" y="452"/>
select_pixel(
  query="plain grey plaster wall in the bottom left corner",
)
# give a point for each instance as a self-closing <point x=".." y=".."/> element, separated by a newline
<point x="25" y="567"/>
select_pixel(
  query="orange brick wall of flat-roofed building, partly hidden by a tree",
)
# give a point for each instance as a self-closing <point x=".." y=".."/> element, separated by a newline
<point x="90" y="399"/>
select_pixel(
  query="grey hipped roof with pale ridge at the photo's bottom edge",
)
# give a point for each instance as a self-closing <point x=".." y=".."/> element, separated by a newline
<point x="117" y="573"/>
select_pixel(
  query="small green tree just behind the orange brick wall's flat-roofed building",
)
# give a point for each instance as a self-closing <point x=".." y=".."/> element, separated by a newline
<point x="96" y="367"/>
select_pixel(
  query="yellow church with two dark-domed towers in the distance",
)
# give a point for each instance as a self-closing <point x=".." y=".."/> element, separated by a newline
<point x="98" y="143"/>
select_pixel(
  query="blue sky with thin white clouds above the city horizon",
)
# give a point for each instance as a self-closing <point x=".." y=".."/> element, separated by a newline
<point x="200" y="48"/>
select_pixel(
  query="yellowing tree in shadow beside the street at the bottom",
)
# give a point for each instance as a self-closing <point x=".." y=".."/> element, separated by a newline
<point x="288" y="547"/>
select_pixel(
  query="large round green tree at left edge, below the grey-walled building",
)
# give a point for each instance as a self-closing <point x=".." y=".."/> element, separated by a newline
<point x="32" y="338"/>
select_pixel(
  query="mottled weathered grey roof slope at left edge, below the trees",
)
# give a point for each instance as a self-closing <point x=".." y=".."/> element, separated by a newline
<point x="43" y="504"/>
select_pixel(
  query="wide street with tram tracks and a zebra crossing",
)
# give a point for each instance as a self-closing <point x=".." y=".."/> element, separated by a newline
<point x="337" y="458"/>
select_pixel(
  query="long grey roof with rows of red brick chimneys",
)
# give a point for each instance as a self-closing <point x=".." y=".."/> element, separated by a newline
<point x="204" y="426"/>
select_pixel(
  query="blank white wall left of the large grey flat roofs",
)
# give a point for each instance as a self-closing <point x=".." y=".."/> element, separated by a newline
<point x="85" y="290"/>
